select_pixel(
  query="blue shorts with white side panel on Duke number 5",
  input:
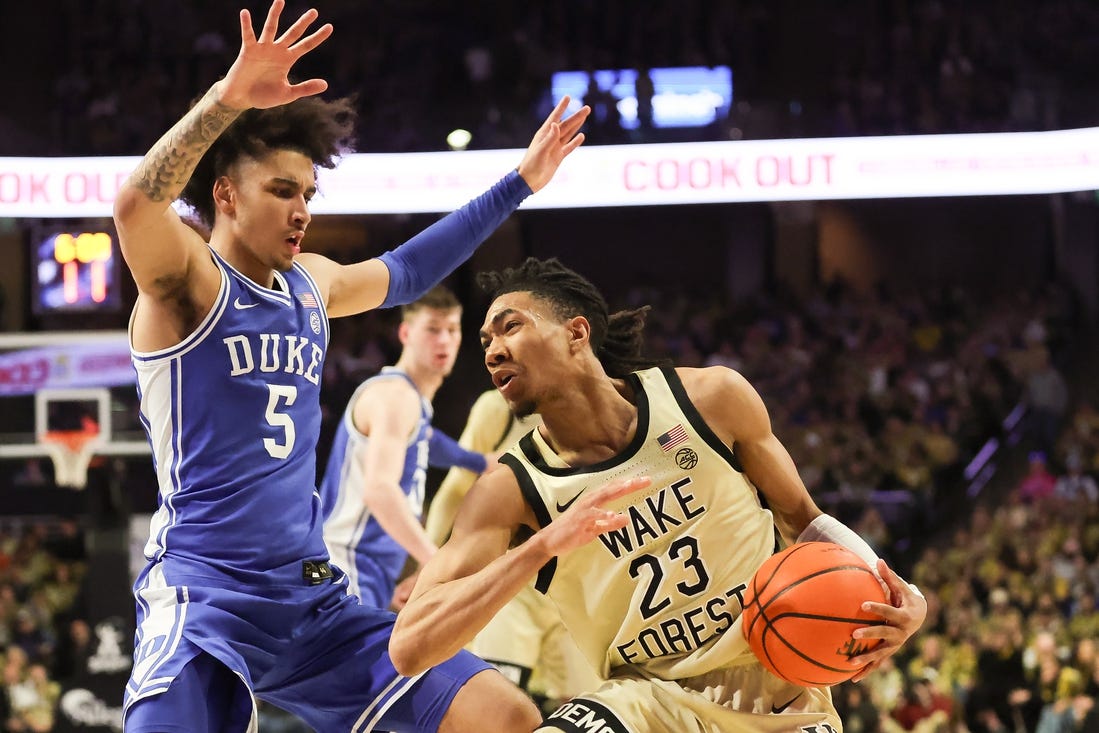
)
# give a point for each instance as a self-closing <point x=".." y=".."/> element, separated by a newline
<point x="314" y="651"/>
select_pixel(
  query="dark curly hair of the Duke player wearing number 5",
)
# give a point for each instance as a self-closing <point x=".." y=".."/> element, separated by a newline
<point x="318" y="129"/>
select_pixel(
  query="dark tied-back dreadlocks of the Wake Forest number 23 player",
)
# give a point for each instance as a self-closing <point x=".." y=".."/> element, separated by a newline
<point x="617" y="339"/>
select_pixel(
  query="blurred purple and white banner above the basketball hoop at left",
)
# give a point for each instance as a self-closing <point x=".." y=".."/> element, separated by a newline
<point x="103" y="363"/>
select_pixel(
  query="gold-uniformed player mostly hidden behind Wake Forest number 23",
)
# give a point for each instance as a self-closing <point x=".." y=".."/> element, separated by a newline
<point x="526" y="640"/>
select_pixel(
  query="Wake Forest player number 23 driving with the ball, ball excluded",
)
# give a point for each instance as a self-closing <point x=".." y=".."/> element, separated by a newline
<point x="643" y="487"/>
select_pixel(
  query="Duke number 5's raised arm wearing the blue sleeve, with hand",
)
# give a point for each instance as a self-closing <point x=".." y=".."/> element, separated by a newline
<point x="403" y="275"/>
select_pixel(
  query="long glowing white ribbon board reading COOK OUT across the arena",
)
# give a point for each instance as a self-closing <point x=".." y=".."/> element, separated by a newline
<point x="635" y="175"/>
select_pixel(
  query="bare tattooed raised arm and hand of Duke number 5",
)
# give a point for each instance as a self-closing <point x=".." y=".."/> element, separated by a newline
<point x="161" y="251"/>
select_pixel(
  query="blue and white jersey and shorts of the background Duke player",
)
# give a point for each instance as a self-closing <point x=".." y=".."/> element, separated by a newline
<point x="357" y="542"/>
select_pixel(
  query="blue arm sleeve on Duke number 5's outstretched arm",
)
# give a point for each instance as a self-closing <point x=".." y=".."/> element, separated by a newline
<point x="423" y="262"/>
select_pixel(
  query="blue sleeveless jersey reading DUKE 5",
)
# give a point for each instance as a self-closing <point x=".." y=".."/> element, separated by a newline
<point x="234" y="414"/>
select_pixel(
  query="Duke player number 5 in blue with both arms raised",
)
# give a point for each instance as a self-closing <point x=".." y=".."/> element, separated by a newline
<point x="238" y="599"/>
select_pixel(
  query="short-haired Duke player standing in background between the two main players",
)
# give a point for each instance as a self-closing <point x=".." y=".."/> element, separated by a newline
<point x="373" y="490"/>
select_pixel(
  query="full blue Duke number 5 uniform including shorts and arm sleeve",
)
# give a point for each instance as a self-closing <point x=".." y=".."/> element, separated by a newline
<point x="235" y="580"/>
